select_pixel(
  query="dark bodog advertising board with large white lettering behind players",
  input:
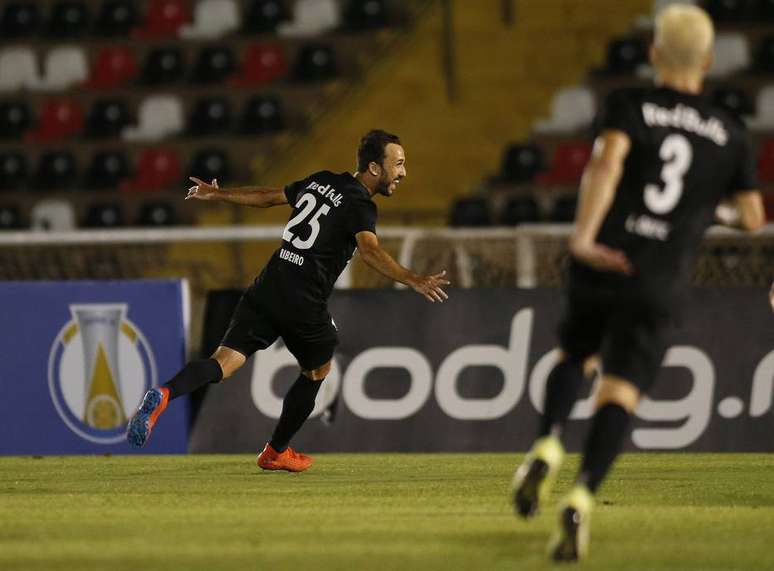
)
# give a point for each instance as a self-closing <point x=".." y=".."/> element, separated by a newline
<point x="469" y="375"/>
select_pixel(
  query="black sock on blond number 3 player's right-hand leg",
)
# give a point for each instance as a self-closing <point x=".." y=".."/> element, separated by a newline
<point x="608" y="429"/>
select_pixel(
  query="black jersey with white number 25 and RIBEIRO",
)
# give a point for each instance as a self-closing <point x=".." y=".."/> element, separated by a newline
<point x="329" y="209"/>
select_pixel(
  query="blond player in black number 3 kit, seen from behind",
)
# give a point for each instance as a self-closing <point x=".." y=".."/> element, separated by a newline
<point x="663" y="159"/>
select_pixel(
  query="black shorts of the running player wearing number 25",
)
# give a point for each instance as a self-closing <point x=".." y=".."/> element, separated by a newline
<point x="257" y="322"/>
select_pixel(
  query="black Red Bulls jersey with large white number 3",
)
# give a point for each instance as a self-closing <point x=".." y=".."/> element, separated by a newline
<point x="686" y="155"/>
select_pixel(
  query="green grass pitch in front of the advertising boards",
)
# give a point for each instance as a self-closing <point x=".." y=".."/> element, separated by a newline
<point x="374" y="511"/>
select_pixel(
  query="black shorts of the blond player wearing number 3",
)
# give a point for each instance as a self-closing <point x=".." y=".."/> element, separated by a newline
<point x="627" y="328"/>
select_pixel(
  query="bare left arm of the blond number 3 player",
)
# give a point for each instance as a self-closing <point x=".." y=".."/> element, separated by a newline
<point x="598" y="186"/>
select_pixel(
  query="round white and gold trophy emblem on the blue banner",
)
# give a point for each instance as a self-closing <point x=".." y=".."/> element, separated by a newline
<point x="100" y="365"/>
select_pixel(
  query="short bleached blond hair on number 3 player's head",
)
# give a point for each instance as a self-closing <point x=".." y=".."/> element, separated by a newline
<point x="684" y="37"/>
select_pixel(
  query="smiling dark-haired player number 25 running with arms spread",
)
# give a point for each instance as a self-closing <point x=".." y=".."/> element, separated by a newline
<point x="332" y="215"/>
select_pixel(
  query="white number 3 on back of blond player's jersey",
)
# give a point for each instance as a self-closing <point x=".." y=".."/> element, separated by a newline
<point x="677" y="154"/>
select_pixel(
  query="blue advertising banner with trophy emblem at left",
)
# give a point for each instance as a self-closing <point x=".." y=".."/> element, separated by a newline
<point x="77" y="358"/>
